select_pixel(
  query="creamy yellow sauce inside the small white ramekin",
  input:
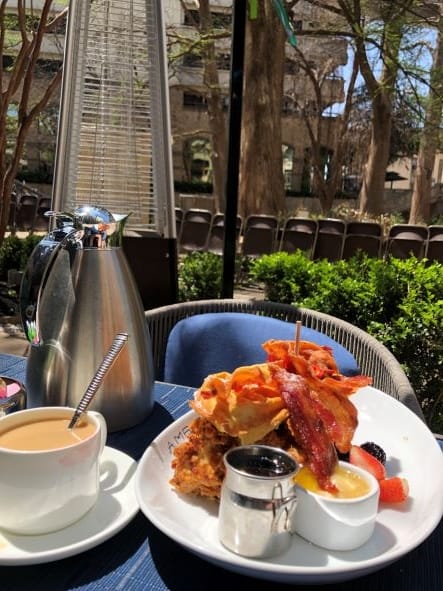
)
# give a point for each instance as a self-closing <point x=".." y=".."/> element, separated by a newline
<point x="349" y="484"/>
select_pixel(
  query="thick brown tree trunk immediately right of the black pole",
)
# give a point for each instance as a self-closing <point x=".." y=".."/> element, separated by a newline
<point x="261" y="187"/>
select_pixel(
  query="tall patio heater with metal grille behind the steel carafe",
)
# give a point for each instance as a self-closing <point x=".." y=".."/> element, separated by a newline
<point x="113" y="146"/>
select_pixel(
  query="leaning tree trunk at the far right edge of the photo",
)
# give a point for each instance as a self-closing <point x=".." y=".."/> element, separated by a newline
<point x="421" y="193"/>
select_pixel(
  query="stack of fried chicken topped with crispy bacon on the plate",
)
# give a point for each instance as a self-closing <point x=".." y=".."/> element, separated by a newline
<point x="297" y="401"/>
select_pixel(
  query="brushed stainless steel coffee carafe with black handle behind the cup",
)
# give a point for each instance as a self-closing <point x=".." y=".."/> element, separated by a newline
<point x="77" y="293"/>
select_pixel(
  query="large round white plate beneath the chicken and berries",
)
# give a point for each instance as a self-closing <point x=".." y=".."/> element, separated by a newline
<point x="412" y="452"/>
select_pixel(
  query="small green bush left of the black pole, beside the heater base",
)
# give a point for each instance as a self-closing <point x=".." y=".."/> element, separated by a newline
<point x="200" y="276"/>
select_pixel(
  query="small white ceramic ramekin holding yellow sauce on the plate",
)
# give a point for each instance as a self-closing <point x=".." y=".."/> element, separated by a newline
<point x="337" y="523"/>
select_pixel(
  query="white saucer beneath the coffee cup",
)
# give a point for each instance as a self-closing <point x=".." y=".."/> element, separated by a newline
<point x="116" y="506"/>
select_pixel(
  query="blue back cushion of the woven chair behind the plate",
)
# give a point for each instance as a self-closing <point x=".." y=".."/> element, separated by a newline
<point x="209" y="343"/>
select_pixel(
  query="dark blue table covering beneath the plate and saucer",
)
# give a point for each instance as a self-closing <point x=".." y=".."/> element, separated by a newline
<point x="141" y="558"/>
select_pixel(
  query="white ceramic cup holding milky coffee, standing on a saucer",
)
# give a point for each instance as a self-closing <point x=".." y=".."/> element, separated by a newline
<point x="44" y="491"/>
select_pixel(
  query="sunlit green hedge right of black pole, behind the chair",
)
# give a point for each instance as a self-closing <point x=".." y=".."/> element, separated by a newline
<point x="397" y="301"/>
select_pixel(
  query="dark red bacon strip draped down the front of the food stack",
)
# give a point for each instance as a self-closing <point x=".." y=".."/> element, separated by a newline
<point x="308" y="428"/>
